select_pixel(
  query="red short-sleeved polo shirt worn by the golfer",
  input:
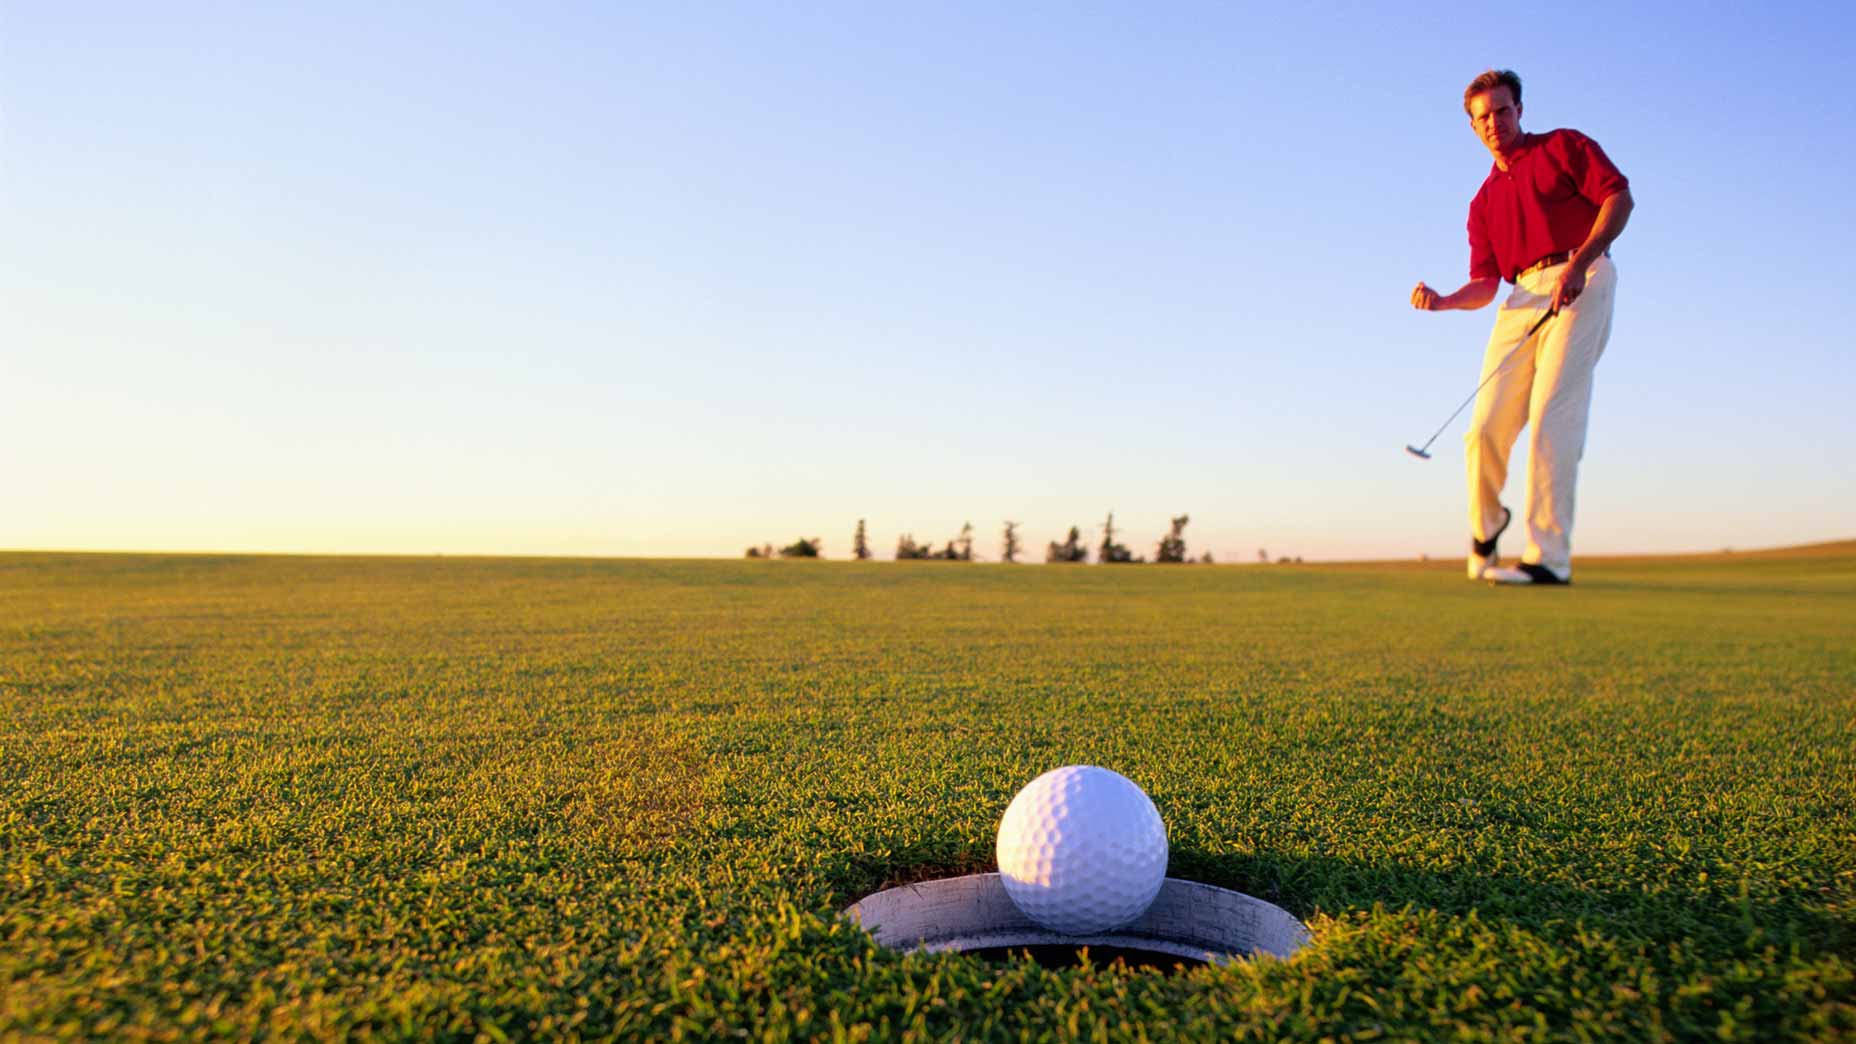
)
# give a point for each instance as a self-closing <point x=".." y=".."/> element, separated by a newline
<point x="1545" y="203"/>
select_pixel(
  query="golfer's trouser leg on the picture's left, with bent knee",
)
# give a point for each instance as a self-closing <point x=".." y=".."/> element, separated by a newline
<point x="1501" y="413"/>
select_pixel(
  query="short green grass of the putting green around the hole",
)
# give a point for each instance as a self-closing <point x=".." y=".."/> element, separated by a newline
<point x="482" y="800"/>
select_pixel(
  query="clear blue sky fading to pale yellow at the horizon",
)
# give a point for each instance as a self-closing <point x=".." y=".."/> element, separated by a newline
<point x="678" y="280"/>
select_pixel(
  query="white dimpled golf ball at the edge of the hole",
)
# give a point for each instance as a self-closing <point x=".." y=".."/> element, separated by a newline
<point x="1083" y="850"/>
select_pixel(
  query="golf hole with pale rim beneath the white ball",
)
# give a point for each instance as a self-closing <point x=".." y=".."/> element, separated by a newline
<point x="1189" y="926"/>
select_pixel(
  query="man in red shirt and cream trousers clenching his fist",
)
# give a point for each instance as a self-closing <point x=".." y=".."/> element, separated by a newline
<point x="1545" y="222"/>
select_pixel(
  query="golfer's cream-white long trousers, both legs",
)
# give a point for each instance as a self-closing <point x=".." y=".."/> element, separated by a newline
<point x="1549" y="389"/>
